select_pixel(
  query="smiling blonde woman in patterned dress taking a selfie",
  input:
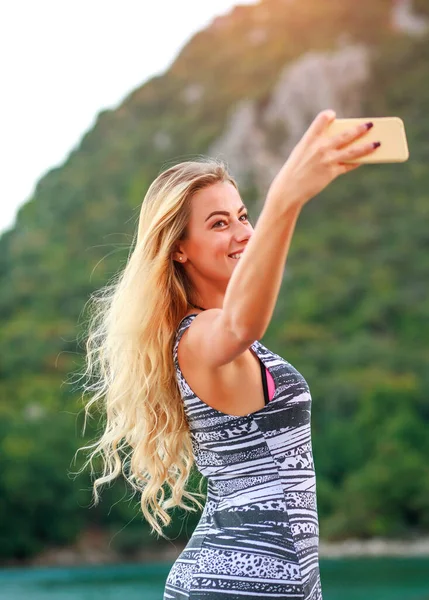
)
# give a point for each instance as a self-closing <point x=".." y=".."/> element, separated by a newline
<point x="185" y="380"/>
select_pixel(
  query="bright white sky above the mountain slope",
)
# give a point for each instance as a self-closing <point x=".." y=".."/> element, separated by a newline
<point x="62" y="62"/>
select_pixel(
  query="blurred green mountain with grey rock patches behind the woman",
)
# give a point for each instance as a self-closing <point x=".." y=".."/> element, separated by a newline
<point x="353" y="315"/>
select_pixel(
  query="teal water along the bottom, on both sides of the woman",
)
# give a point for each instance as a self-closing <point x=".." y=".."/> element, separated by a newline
<point x="348" y="579"/>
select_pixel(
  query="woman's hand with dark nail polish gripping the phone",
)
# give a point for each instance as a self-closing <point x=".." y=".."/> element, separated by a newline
<point x="317" y="160"/>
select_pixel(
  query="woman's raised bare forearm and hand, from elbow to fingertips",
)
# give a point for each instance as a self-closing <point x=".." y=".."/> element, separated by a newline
<point x="316" y="160"/>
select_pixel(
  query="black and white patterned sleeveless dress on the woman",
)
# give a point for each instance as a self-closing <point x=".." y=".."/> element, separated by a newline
<point x="258" y="535"/>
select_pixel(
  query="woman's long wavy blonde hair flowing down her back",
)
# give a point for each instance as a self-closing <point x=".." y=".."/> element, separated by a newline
<point x="129" y="361"/>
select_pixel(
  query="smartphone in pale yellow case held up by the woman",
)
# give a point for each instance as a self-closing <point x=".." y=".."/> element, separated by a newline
<point x="390" y="131"/>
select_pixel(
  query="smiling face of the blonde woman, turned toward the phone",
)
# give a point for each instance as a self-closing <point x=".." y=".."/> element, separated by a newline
<point x="218" y="227"/>
